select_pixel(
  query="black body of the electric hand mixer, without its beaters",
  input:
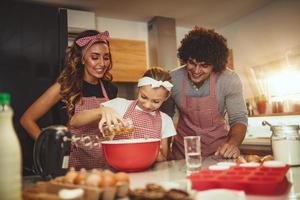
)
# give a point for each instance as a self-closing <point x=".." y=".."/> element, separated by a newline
<point x="51" y="152"/>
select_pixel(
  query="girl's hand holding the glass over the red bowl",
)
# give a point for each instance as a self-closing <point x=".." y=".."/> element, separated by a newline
<point x="109" y="116"/>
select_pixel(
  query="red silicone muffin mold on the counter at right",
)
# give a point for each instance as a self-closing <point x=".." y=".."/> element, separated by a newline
<point x="253" y="180"/>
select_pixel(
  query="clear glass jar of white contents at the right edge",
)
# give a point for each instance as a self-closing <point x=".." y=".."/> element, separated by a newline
<point x="285" y="142"/>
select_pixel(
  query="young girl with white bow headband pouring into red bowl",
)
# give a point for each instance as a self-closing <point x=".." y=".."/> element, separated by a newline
<point x="153" y="89"/>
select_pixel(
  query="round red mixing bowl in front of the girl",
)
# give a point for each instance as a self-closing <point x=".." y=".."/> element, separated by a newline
<point x="131" y="155"/>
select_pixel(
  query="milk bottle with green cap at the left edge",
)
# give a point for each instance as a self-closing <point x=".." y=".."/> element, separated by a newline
<point x="10" y="153"/>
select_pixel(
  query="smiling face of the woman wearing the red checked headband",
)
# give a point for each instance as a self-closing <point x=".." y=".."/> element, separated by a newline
<point x="96" y="61"/>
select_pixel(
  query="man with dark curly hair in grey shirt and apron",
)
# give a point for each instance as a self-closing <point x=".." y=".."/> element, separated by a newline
<point x="204" y="91"/>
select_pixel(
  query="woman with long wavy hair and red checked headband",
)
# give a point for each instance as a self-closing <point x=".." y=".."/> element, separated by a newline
<point x="84" y="83"/>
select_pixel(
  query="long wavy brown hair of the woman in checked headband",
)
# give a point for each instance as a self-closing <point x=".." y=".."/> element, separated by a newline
<point x="71" y="77"/>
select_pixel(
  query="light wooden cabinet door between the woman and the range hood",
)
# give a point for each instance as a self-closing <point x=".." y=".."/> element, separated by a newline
<point x="129" y="59"/>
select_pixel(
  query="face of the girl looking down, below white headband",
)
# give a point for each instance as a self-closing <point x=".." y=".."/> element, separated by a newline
<point x="150" y="99"/>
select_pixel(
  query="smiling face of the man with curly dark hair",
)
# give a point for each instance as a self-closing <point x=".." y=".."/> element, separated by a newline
<point x="198" y="72"/>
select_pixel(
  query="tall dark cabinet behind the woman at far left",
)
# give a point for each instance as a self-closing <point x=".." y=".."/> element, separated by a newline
<point x="33" y="39"/>
